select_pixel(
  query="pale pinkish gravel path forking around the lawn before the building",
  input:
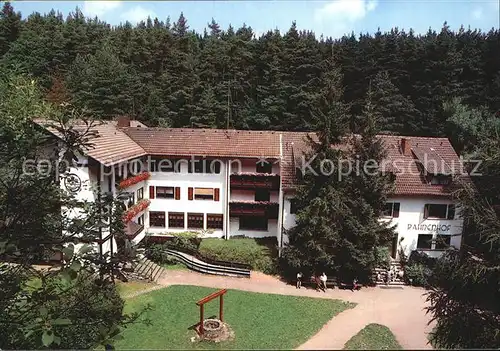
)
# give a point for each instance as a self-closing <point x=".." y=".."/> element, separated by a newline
<point x="401" y="310"/>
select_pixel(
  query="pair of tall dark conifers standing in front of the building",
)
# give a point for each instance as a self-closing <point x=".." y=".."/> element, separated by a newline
<point x="338" y="229"/>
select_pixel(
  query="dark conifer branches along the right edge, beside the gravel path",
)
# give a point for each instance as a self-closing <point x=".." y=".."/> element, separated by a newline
<point x="464" y="295"/>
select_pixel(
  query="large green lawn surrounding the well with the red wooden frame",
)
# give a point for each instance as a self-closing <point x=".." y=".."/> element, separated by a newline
<point x="259" y="321"/>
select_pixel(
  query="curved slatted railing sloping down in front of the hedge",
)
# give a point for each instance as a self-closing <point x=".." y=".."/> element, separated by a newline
<point x="196" y="264"/>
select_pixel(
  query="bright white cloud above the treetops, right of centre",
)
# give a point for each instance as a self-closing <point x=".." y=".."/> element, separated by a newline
<point x="346" y="11"/>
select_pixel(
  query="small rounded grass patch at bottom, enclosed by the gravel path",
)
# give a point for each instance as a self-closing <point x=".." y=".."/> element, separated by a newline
<point x="373" y="337"/>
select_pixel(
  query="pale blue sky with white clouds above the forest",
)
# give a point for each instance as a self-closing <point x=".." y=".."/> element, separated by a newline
<point x="330" y="18"/>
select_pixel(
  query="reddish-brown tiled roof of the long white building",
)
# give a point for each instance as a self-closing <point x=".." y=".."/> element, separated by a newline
<point x="435" y="155"/>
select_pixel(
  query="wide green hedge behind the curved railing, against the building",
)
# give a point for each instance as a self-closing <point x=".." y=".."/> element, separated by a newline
<point x="260" y="254"/>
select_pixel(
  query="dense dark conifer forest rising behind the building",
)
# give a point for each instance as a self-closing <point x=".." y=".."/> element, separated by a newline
<point x="164" y="74"/>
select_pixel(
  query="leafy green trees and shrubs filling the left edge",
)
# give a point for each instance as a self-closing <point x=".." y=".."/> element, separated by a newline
<point x="74" y="305"/>
